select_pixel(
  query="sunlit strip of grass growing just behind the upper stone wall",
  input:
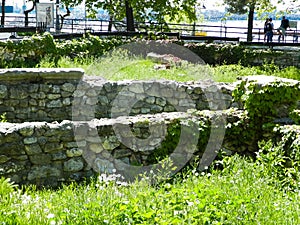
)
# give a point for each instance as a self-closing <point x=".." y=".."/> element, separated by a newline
<point x="119" y="66"/>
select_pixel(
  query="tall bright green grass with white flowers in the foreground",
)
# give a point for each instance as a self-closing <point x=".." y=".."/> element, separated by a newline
<point x="242" y="193"/>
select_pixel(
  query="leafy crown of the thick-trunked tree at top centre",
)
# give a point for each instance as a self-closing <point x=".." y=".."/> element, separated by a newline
<point x="141" y="11"/>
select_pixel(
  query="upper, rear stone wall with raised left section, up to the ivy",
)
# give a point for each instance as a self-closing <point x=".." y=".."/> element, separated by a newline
<point x="63" y="94"/>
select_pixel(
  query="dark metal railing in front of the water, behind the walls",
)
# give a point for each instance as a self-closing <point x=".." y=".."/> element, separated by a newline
<point x="75" y="26"/>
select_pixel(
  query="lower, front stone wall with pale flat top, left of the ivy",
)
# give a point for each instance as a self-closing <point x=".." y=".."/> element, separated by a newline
<point x="49" y="153"/>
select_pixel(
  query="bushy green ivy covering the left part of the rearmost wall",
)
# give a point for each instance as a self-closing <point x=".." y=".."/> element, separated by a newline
<point x="33" y="51"/>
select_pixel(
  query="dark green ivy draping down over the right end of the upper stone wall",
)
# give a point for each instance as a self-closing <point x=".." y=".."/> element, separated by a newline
<point x="263" y="102"/>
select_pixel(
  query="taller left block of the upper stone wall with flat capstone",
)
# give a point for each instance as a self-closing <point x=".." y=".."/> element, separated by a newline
<point x="37" y="94"/>
